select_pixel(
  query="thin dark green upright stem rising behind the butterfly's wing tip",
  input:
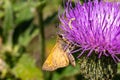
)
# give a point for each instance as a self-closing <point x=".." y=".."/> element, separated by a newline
<point x="42" y="38"/>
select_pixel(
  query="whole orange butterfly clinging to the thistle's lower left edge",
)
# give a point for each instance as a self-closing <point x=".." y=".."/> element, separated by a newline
<point x="59" y="56"/>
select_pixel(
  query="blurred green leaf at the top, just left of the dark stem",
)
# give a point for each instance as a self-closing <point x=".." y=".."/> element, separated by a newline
<point x="26" y="11"/>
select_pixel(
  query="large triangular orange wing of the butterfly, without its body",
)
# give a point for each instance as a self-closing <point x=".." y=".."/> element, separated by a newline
<point x="56" y="59"/>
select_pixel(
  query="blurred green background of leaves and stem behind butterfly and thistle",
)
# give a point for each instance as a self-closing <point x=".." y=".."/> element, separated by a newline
<point x="27" y="34"/>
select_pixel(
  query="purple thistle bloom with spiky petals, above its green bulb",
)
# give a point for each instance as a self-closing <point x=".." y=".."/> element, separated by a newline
<point x="94" y="26"/>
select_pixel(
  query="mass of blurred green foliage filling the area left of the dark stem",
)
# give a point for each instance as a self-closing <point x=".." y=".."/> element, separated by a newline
<point x="17" y="29"/>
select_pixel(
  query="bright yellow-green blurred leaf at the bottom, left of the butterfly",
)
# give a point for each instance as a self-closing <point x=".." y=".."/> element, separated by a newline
<point x="26" y="69"/>
